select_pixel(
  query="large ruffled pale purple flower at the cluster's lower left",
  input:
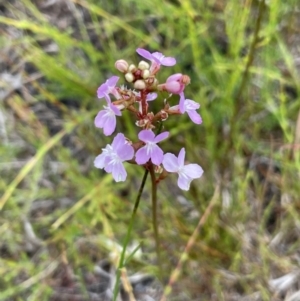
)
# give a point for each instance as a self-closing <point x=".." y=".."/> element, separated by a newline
<point x="113" y="156"/>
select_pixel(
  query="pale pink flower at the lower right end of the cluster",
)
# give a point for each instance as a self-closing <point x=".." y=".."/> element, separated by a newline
<point x="186" y="173"/>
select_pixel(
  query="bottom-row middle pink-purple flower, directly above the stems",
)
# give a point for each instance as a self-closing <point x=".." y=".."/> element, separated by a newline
<point x="150" y="150"/>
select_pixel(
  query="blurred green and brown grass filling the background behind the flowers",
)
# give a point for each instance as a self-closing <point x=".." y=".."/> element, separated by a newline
<point x="59" y="215"/>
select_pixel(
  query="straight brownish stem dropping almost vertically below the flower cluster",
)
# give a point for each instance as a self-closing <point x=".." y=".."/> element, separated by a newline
<point x="154" y="211"/>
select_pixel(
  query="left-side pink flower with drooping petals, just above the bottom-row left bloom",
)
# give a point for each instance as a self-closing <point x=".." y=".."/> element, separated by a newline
<point x="106" y="119"/>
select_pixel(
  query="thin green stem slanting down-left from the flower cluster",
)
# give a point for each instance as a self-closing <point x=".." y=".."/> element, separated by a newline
<point x="127" y="237"/>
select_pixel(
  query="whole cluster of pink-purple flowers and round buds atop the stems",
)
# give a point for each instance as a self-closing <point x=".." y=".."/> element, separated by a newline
<point x="145" y="150"/>
